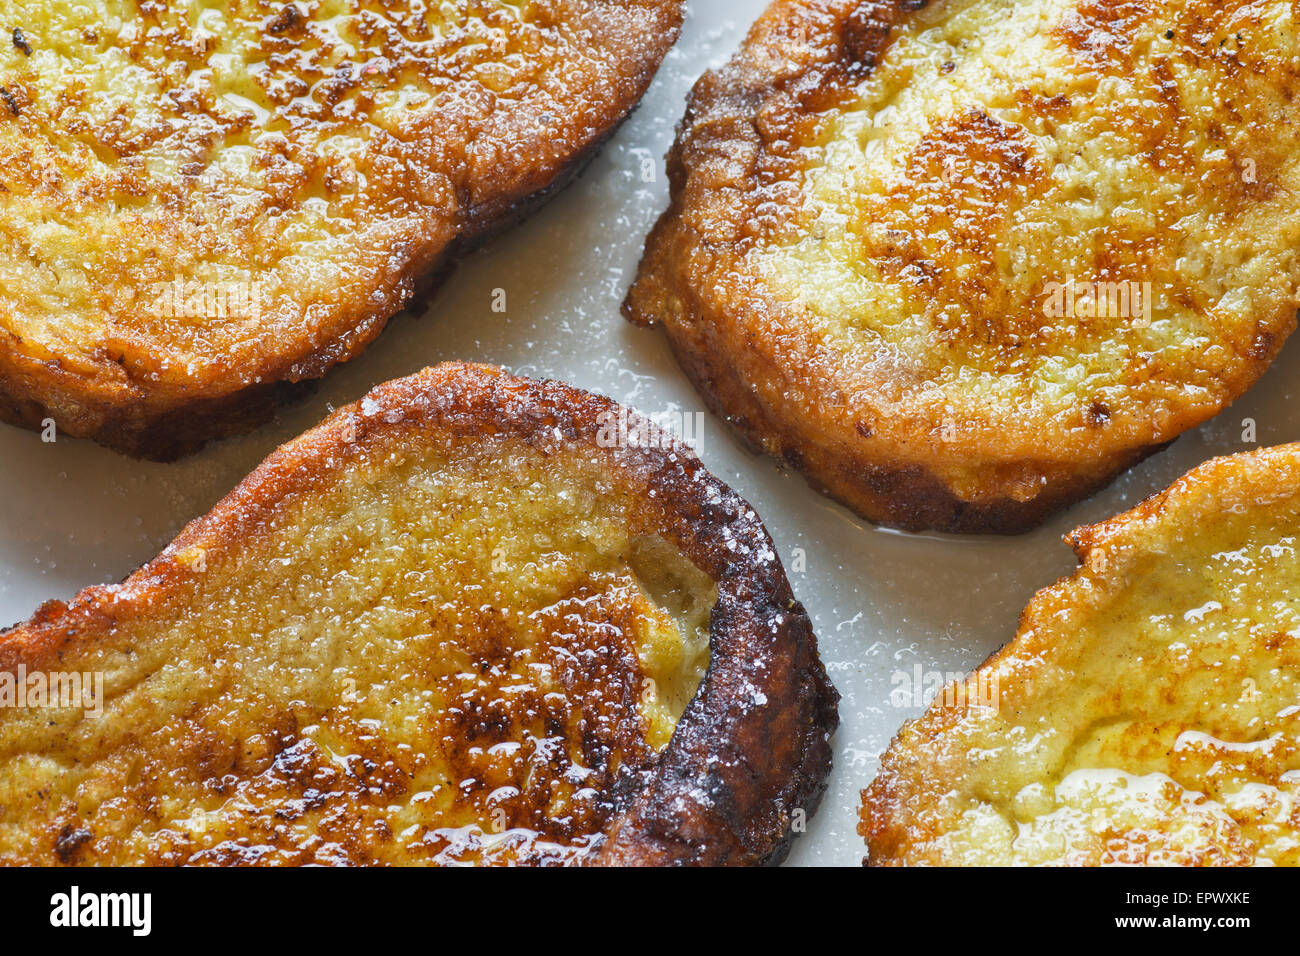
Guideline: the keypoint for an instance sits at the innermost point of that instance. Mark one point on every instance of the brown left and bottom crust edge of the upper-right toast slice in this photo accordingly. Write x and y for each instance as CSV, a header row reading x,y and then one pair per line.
x,y
803,55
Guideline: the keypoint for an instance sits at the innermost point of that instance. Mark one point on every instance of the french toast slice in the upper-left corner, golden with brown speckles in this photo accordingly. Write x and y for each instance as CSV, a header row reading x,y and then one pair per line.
x,y
203,205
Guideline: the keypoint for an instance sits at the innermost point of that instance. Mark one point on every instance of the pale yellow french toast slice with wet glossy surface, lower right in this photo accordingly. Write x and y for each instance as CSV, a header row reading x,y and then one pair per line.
x,y
1149,711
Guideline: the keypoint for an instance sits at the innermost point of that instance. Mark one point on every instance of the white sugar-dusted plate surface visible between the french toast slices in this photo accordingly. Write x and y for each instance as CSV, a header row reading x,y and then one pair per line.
x,y
882,603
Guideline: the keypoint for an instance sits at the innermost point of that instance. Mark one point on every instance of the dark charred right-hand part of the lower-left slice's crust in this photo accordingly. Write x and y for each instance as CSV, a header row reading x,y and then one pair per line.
x,y
760,638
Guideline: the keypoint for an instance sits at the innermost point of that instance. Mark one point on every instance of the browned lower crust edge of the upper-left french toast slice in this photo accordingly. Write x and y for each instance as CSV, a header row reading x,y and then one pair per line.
x,y
105,404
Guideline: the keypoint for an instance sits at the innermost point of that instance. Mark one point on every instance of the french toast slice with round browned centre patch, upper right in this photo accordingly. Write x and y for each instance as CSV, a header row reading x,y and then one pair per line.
x,y
963,263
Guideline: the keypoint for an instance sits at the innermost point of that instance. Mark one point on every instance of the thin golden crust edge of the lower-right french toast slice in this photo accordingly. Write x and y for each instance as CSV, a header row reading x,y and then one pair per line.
x,y
898,797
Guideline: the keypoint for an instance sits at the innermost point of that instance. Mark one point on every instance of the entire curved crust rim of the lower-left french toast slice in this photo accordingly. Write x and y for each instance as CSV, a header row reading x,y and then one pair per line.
x,y
753,746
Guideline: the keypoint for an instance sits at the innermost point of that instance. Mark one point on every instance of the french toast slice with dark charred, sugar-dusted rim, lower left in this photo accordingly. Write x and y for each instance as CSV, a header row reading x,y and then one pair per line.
x,y
473,618
